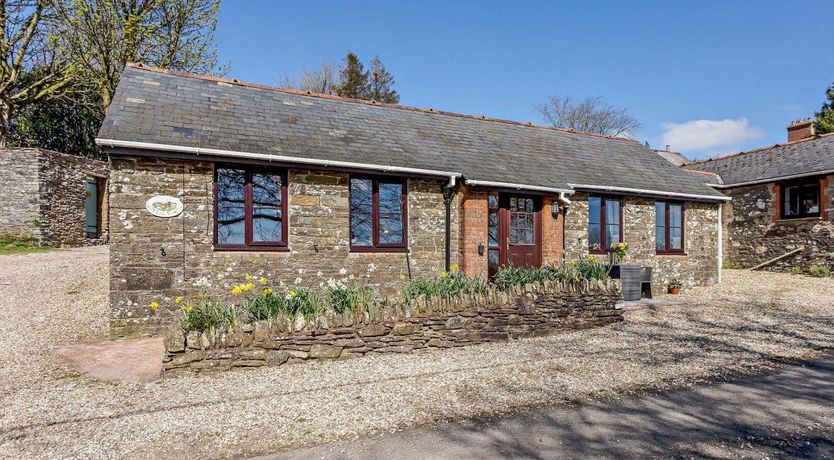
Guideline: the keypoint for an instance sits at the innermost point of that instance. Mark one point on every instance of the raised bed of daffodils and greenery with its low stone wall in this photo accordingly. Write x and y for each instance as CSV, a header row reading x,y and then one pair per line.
x,y
333,322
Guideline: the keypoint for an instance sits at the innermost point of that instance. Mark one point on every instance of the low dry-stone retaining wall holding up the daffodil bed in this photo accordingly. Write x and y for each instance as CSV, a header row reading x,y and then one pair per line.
x,y
493,317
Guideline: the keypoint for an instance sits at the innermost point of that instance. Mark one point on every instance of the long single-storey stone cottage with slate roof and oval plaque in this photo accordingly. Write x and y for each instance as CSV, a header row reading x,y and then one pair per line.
x,y
213,179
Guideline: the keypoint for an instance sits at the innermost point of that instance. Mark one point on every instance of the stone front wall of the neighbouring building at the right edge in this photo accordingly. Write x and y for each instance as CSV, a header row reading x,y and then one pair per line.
x,y
754,232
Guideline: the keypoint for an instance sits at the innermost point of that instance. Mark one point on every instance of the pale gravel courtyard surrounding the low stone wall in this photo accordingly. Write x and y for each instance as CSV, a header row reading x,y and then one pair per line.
x,y
750,323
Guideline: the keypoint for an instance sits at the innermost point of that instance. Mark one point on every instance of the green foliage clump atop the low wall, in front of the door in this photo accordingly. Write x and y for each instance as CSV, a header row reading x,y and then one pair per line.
x,y
584,269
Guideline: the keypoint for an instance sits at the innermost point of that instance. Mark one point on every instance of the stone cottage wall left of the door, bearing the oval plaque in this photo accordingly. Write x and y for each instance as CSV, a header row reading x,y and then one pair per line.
x,y
318,239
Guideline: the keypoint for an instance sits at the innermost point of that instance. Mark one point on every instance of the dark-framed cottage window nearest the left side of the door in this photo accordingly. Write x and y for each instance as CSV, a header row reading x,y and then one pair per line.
x,y
378,211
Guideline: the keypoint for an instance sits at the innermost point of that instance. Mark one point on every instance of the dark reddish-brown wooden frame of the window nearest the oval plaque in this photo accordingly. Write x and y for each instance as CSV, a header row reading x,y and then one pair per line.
x,y
249,244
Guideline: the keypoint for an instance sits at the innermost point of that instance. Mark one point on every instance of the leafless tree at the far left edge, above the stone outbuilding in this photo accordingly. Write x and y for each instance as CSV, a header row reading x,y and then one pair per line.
x,y
30,69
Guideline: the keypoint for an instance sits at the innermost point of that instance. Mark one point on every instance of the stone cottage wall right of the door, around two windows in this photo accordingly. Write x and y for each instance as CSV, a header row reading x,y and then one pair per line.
x,y
699,265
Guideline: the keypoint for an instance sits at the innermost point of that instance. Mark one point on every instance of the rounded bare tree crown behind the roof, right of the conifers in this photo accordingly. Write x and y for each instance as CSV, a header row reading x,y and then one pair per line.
x,y
590,115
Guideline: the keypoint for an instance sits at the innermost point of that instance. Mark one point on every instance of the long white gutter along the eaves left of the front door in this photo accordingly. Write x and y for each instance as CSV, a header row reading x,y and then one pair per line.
x,y
112,143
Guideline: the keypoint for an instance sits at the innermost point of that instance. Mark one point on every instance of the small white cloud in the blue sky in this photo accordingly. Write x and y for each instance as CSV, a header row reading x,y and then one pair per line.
x,y
708,134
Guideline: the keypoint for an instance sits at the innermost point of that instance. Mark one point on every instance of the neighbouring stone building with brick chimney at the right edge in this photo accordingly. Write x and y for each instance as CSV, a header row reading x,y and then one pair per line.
x,y
782,200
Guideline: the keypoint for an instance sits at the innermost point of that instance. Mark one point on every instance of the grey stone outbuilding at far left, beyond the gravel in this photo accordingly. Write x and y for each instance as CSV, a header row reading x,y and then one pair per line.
x,y
53,198
